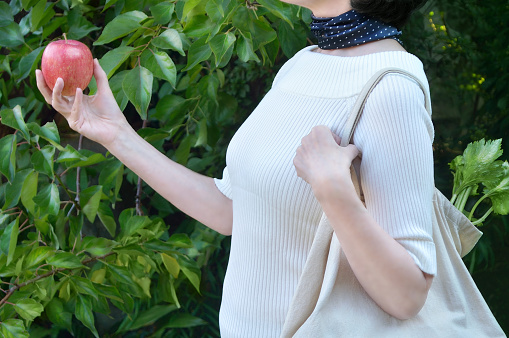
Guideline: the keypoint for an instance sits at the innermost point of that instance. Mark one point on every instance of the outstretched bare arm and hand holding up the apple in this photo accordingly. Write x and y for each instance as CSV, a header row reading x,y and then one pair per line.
x,y
99,118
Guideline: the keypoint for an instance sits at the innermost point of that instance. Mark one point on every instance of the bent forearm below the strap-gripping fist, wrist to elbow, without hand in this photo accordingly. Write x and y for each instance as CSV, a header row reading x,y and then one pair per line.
x,y
383,267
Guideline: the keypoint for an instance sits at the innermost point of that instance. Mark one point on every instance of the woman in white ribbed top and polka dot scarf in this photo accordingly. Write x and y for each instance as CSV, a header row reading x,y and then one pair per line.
x,y
284,166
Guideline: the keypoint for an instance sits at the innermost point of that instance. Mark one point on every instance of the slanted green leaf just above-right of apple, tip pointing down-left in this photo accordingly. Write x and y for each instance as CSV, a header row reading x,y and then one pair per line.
x,y
120,26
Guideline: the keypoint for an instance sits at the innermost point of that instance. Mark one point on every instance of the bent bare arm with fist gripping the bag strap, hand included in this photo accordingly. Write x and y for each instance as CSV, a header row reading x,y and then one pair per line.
x,y
383,267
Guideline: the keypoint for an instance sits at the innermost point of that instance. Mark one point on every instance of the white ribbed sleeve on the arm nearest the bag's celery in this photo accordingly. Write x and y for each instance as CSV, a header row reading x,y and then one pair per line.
x,y
395,136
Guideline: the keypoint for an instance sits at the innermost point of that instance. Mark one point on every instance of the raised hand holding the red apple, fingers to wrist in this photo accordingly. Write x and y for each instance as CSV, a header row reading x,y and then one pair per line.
x,y
97,117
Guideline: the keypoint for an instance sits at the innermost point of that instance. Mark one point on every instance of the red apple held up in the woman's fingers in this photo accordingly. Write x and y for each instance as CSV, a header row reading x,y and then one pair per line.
x,y
70,60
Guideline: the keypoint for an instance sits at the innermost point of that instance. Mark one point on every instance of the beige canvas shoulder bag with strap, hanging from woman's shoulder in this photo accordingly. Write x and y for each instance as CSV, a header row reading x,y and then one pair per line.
x,y
330,302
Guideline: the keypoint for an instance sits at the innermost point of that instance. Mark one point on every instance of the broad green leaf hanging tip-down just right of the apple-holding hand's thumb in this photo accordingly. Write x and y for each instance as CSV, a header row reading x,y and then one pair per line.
x,y
137,86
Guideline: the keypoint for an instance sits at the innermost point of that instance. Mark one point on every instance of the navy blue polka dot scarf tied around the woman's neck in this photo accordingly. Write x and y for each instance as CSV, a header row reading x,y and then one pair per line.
x,y
350,29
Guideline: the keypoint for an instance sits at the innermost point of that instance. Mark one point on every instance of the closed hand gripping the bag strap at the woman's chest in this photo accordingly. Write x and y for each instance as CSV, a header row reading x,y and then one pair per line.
x,y
322,163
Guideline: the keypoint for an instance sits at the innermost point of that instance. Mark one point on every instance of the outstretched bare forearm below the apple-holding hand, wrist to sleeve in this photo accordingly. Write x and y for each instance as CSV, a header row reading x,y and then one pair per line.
x,y
193,193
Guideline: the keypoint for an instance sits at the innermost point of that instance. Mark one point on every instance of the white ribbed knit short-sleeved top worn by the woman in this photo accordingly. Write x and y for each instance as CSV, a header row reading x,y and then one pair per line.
x,y
275,213
